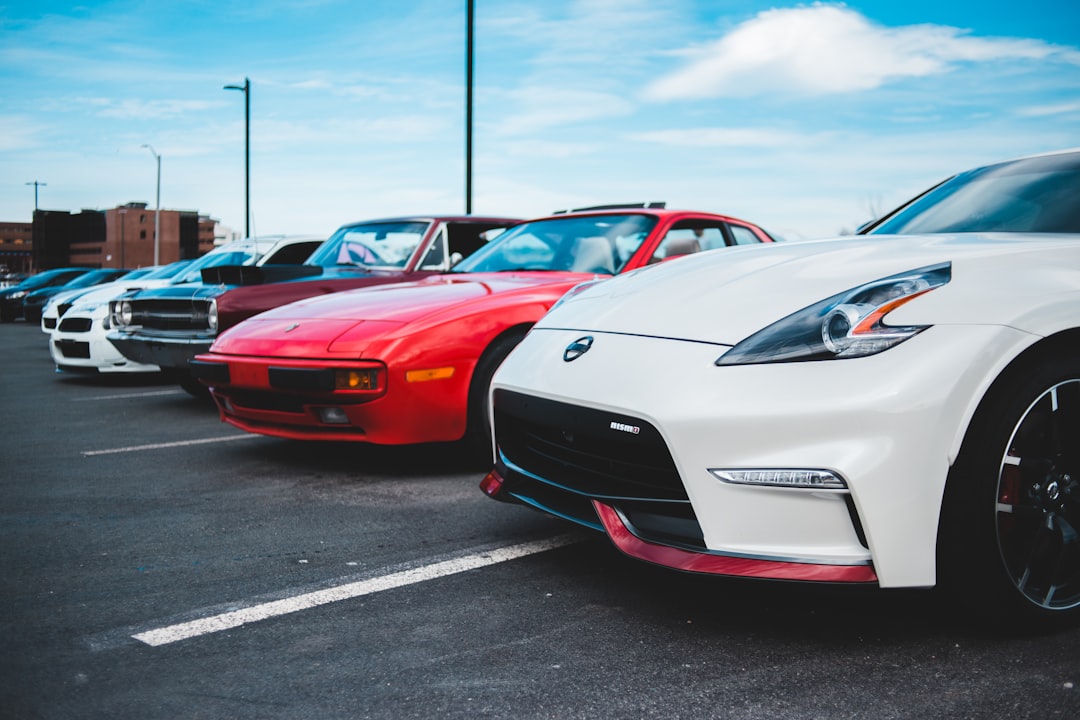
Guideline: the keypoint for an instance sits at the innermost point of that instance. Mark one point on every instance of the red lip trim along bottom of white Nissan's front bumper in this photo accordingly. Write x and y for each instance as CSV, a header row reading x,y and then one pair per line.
x,y
725,565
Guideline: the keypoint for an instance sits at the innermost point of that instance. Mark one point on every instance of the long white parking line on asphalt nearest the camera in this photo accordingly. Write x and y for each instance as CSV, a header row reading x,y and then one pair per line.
x,y
229,620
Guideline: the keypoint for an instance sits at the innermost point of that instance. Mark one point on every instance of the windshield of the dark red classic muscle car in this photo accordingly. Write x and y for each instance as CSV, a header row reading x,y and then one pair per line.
x,y
372,246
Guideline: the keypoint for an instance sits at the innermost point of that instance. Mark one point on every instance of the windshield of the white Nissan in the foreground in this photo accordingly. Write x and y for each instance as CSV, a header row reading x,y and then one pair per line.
x,y
1037,195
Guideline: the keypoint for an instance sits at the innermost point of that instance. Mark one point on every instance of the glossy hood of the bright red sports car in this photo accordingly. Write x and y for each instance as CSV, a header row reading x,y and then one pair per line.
x,y
344,322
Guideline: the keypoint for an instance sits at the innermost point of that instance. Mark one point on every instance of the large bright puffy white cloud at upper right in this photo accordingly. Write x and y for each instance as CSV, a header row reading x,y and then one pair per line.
x,y
829,49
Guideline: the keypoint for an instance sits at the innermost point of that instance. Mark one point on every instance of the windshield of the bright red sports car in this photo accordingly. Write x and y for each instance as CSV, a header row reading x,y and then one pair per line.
x,y
588,243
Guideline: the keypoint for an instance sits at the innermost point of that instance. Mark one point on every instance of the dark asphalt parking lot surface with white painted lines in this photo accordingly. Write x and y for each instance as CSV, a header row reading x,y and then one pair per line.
x,y
159,564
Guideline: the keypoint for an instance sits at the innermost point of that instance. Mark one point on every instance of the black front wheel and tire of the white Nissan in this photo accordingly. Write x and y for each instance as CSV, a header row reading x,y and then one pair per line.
x,y
1010,532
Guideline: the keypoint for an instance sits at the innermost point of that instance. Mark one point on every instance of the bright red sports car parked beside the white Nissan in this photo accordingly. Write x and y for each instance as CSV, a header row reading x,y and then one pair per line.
x,y
412,362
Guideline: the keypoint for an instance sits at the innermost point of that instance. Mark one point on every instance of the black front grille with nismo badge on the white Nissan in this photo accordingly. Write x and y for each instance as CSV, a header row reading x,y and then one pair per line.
x,y
599,454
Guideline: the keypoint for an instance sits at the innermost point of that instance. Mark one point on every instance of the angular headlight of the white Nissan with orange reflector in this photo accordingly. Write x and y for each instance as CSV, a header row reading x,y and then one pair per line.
x,y
846,325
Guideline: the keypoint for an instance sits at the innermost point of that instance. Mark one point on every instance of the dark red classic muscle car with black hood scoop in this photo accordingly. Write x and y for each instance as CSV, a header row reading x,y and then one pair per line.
x,y
169,328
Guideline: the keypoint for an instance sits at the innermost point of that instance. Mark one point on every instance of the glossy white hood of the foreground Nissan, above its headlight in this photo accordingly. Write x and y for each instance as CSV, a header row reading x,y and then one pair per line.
x,y
724,296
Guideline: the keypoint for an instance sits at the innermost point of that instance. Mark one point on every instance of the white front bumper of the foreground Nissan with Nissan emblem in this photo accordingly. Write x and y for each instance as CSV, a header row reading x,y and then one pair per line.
x,y
888,425
